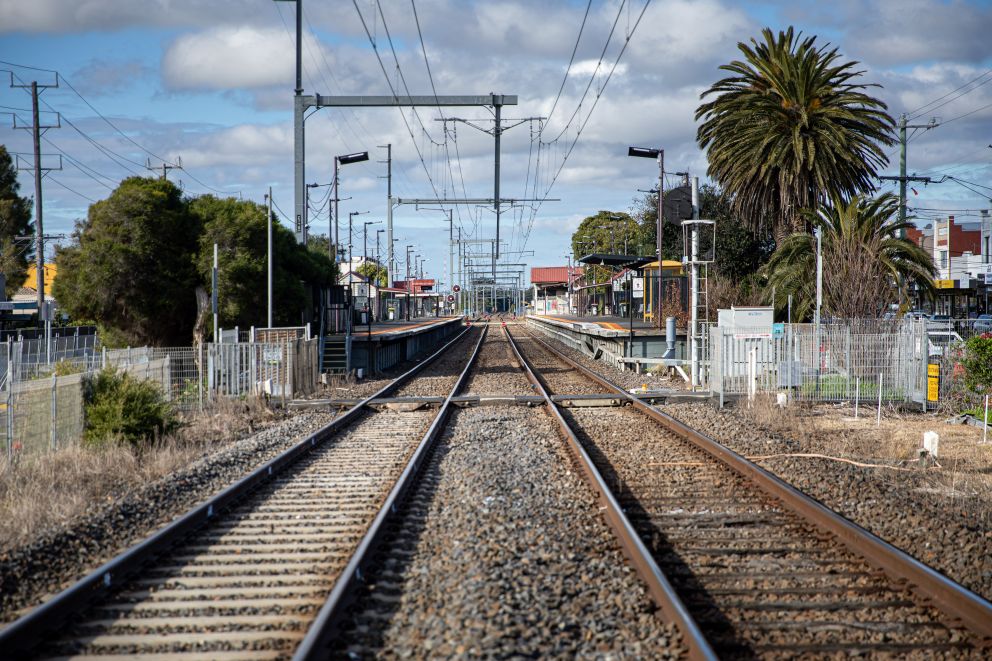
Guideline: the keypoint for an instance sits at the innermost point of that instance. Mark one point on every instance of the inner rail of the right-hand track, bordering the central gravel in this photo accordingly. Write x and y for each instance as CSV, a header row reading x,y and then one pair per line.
x,y
661,590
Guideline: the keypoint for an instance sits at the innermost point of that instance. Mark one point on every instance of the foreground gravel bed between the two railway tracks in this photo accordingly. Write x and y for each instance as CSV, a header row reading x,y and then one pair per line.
x,y
503,554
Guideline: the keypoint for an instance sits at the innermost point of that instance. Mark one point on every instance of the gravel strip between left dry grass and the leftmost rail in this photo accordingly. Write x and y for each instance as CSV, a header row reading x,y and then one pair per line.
x,y
60,556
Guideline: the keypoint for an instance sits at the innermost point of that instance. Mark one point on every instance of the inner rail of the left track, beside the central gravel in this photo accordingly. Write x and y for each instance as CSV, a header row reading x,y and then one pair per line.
x,y
328,621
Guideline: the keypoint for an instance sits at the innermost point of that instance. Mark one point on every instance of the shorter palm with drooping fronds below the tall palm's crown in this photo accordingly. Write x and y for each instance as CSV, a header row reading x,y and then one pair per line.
x,y
863,258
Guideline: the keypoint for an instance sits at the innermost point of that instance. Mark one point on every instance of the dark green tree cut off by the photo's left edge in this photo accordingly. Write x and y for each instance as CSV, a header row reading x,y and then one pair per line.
x,y
15,221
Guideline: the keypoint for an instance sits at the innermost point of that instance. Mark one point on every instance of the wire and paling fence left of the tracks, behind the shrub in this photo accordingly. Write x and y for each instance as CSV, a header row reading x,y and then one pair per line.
x,y
41,401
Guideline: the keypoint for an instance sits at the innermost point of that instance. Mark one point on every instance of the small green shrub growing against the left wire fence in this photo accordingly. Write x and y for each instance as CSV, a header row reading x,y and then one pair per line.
x,y
121,407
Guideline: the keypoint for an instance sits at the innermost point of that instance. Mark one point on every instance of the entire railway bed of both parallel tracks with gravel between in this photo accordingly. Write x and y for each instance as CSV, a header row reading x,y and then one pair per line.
x,y
739,564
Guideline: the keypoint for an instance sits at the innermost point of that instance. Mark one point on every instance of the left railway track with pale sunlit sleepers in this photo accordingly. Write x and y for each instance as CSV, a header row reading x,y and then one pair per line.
x,y
244,574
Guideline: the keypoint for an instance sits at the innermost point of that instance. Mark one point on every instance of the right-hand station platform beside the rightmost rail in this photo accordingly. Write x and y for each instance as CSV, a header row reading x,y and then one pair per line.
x,y
610,339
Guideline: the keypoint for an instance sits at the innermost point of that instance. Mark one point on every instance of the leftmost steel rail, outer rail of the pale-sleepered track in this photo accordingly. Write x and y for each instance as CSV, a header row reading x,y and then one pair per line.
x,y
29,630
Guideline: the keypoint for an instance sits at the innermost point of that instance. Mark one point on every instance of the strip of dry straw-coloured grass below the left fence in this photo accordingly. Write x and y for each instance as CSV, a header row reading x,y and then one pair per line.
x,y
50,489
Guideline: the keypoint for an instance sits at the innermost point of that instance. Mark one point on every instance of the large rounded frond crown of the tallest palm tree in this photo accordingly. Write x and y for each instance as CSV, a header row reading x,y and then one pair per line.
x,y
791,129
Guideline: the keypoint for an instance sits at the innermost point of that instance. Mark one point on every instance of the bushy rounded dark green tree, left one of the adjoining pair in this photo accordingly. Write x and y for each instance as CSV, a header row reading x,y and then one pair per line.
x,y
130,266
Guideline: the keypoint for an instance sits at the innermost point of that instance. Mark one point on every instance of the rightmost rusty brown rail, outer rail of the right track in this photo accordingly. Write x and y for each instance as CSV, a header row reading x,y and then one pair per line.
x,y
949,596
